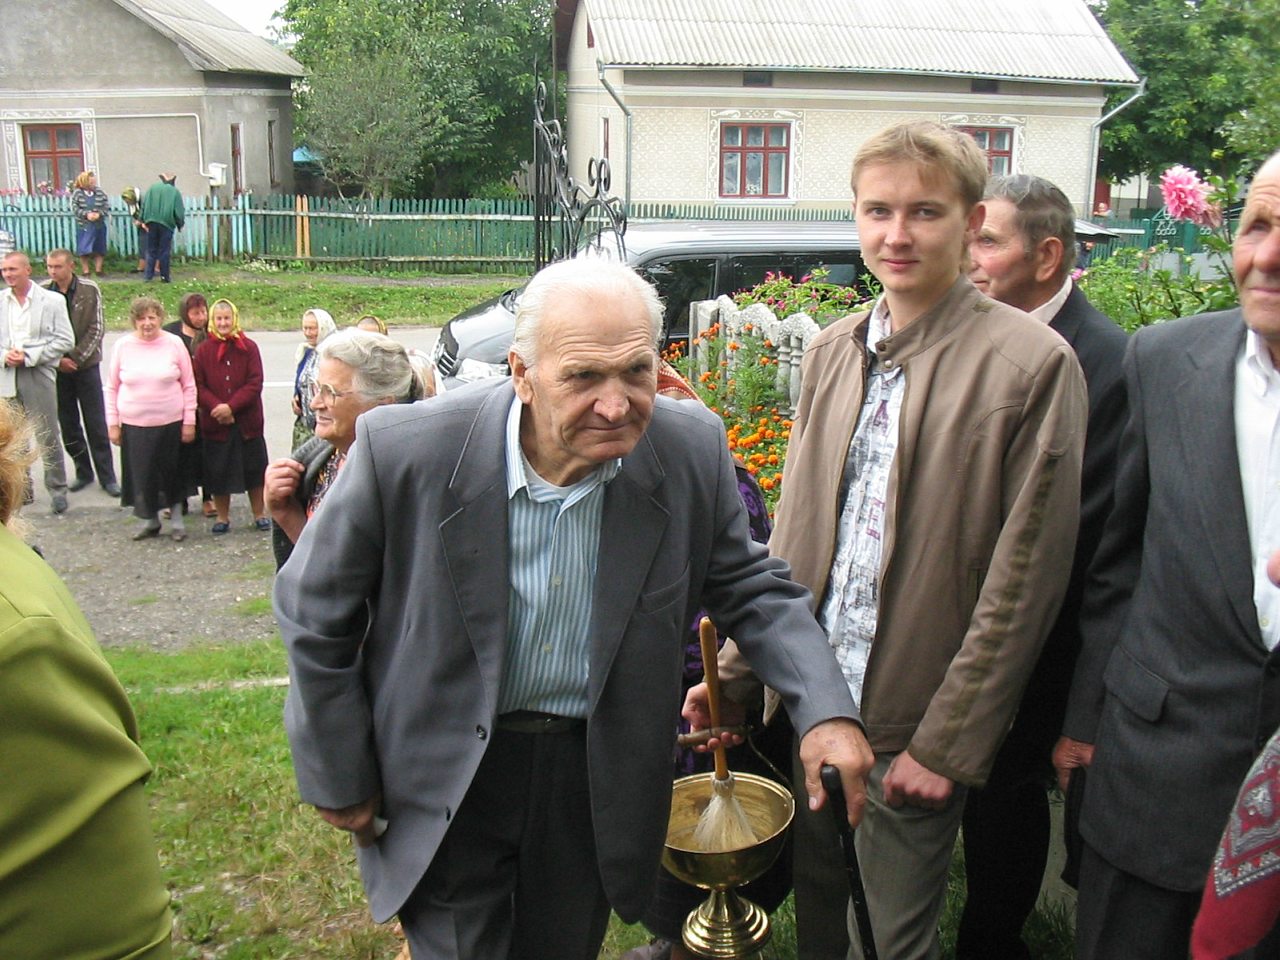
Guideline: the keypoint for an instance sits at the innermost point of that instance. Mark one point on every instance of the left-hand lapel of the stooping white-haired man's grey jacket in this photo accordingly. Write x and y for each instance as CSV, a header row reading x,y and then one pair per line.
x,y
476,537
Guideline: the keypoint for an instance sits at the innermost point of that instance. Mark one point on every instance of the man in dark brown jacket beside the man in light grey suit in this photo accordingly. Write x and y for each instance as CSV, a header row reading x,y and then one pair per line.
x,y
80,382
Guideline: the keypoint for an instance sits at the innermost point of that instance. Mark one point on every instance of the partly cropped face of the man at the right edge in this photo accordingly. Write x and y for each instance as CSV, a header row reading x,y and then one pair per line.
x,y
1258,257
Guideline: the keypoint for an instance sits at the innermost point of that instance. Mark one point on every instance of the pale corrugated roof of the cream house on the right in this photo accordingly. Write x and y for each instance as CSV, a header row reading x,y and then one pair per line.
x,y
1057,40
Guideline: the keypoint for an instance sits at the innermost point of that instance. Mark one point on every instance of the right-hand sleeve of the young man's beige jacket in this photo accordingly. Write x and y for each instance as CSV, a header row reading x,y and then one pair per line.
x,y
1023,587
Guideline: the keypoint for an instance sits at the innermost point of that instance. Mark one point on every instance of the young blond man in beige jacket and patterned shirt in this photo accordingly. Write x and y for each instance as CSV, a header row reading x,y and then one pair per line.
x,y
931,505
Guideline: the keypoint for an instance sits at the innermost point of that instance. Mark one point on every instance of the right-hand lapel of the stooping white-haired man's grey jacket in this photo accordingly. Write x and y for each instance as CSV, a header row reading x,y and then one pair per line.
x,y
633,525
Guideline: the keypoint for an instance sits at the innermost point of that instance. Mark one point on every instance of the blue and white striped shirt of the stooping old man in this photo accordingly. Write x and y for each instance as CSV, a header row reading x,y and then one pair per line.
x,y
555,536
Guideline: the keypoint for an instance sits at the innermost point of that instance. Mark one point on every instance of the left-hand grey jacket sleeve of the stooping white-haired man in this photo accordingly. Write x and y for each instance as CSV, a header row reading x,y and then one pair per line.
x,y
321,602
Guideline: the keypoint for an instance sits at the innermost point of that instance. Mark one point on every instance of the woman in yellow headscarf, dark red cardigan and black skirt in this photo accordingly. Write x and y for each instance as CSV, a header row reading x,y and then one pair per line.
x,y
230,405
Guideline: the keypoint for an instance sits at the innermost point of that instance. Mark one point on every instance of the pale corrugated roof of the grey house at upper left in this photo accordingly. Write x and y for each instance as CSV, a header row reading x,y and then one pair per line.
x,y
211,40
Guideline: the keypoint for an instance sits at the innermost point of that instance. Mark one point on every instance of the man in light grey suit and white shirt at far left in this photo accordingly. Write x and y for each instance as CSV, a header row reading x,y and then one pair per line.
x,y
35,333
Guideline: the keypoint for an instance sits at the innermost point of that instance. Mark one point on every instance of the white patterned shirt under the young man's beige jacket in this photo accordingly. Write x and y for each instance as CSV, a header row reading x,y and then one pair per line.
x,y
851,610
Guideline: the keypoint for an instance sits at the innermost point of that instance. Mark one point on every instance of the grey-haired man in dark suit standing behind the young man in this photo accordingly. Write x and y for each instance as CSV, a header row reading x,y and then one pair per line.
x,y
1023,257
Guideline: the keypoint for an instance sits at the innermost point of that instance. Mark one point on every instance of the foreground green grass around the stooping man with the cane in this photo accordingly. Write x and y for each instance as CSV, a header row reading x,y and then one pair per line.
x,y
254,872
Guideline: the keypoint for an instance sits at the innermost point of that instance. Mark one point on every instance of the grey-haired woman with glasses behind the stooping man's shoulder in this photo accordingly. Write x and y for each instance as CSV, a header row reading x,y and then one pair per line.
x,y
356,372
